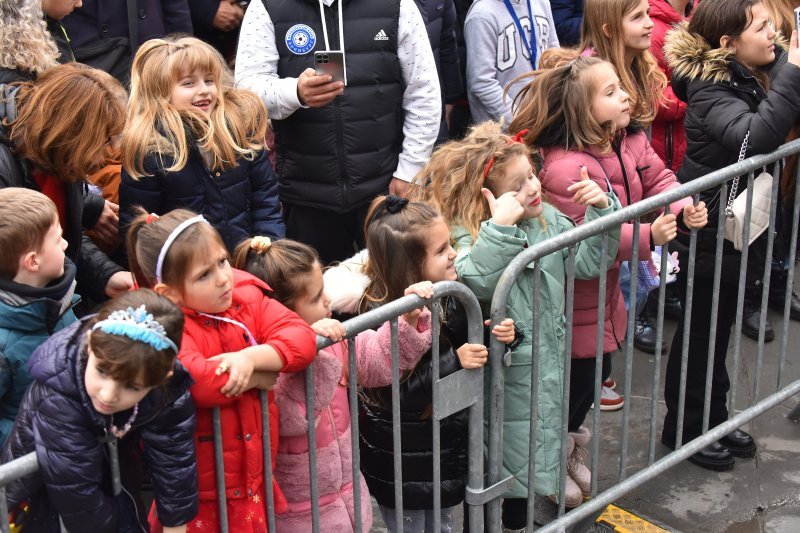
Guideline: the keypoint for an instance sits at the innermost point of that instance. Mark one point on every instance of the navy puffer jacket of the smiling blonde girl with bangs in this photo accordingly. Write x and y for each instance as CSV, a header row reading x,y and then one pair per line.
x,y
239,203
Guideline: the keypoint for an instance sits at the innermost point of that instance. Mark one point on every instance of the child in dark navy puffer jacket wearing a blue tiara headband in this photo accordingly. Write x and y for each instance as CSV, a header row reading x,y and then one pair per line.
x,y
109,378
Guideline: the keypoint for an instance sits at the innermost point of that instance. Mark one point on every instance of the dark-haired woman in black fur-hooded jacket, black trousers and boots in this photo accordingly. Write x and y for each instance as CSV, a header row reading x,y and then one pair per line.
x,y
738,83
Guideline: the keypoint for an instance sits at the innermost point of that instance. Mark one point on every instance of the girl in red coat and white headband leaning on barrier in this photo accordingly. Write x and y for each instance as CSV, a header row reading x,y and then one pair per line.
x,y
235,340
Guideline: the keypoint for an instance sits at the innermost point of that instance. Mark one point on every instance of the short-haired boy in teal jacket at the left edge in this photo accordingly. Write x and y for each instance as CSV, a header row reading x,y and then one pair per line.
x,y
37,290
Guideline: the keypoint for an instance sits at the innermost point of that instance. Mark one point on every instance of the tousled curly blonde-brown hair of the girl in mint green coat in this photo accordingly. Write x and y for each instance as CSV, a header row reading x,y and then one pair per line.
x,y
453,178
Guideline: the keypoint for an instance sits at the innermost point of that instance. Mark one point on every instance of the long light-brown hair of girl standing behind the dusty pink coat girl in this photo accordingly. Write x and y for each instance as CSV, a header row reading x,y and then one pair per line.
x,y
642,80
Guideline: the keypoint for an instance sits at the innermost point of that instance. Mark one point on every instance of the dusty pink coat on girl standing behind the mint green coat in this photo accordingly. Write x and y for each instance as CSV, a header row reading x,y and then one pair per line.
x,y
635,172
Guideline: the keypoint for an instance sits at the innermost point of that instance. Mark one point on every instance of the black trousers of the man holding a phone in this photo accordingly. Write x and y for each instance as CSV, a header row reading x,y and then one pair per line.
x,y
335,236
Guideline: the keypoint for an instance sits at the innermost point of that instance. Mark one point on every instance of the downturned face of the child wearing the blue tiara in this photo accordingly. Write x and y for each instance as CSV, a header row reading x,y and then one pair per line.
x,y
108,395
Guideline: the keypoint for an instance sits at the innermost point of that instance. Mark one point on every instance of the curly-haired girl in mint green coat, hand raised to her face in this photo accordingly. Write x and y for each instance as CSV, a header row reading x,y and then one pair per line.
x,y
486,188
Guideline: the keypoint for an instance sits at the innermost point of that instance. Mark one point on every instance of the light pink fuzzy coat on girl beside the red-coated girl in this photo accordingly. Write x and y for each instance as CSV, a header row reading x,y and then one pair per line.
x,y
332,414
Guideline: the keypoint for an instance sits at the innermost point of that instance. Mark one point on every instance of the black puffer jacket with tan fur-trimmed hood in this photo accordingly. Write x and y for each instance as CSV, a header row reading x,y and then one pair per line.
x,y
724,102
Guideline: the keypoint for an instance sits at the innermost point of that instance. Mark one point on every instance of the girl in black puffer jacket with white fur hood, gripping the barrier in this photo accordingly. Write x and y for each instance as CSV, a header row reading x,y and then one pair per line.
x,y
408,242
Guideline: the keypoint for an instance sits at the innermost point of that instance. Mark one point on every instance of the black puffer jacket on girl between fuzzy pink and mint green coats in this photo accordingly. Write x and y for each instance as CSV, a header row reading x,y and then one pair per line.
x,y
416,396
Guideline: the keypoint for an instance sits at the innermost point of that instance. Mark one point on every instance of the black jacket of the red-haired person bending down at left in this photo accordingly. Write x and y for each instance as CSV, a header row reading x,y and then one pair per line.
x,y
94,268
